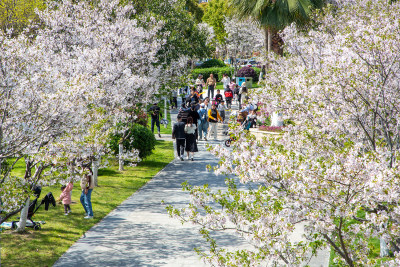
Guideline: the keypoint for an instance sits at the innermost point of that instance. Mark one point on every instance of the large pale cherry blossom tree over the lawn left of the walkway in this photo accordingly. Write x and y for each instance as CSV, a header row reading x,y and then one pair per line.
x,y
66,87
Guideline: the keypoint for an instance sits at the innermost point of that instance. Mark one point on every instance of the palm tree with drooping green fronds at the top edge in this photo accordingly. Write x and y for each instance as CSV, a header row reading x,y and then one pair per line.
x,y
275,15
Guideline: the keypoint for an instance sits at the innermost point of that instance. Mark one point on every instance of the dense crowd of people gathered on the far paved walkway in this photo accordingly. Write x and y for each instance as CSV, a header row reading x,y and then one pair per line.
x,y
199,116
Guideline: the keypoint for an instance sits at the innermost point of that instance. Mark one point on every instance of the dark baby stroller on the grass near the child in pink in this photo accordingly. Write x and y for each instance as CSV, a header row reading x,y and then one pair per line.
x,y
34,206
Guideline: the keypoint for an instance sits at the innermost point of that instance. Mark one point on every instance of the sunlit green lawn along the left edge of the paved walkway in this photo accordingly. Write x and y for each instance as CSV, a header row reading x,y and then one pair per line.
x,y
44,247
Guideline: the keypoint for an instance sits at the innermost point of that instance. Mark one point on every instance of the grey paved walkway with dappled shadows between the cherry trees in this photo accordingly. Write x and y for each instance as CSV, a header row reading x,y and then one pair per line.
x,y
140,233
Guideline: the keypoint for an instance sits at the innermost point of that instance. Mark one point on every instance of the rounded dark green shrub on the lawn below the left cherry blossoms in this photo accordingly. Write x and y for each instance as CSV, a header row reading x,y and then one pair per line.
x,y
140,138
